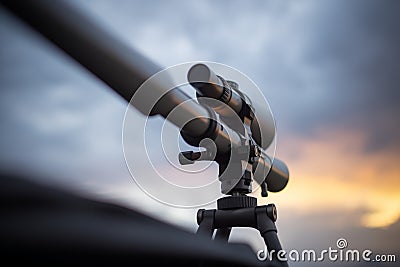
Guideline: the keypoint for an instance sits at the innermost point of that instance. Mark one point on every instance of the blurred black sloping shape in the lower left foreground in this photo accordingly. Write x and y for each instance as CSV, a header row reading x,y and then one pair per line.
x,y
49,226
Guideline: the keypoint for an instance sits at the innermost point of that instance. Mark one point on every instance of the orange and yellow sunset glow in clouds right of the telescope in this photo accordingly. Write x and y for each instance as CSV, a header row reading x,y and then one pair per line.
x,y
331,169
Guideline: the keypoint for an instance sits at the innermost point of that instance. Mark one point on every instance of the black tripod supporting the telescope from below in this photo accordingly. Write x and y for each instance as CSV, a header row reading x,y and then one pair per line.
x,y
239,210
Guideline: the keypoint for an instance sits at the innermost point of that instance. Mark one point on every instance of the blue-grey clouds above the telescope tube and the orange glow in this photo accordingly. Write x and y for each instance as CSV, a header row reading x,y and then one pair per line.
x,y
321,64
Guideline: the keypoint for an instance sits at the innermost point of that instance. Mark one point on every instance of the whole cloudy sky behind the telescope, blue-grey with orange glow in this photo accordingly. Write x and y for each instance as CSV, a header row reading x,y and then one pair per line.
x,y
329,69
